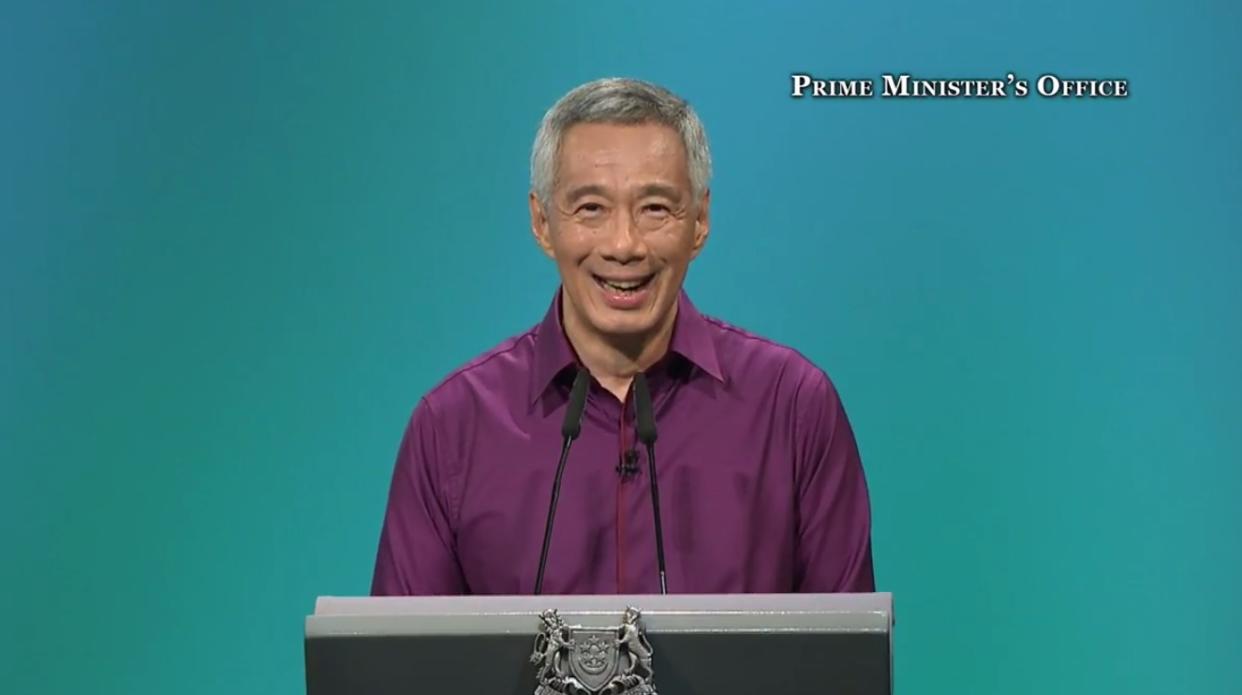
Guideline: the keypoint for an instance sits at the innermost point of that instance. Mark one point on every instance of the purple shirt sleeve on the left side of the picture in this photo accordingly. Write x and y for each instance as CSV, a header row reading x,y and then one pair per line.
x,y
417,555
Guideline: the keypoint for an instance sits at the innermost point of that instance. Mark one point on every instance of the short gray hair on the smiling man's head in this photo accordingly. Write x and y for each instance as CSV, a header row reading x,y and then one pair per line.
x,y
618,100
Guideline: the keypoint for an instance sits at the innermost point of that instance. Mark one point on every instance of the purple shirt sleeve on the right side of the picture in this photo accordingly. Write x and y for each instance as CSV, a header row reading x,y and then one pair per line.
x,y
834,512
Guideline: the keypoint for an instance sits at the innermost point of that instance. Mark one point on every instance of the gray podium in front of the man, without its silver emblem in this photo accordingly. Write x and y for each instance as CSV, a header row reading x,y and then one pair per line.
x,y
701,643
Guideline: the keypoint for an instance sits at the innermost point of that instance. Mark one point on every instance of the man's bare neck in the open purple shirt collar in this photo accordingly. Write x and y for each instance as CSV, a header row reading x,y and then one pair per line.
x,y
614,361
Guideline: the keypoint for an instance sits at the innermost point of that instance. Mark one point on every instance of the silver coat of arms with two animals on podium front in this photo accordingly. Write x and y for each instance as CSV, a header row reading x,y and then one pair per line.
x,y
577,661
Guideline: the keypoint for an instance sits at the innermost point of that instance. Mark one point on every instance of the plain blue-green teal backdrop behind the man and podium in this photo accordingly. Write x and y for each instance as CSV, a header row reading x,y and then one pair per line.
x,y
239,240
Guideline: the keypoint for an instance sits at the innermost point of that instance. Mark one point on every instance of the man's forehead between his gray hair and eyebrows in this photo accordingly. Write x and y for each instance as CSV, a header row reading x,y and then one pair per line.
x,y
608,151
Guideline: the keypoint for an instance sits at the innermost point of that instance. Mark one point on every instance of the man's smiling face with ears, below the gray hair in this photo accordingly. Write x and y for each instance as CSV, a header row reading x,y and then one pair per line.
x,y
622,225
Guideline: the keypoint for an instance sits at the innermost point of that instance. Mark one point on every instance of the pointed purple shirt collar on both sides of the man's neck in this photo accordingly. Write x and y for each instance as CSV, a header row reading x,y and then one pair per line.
x,y
692,341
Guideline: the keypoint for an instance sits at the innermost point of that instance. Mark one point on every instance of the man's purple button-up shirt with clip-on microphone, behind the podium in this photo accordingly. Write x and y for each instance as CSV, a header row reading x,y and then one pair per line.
x,y
761,485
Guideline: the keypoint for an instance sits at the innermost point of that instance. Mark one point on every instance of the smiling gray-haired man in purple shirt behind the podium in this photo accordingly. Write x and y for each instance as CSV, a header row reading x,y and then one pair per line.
x,y
762,488
